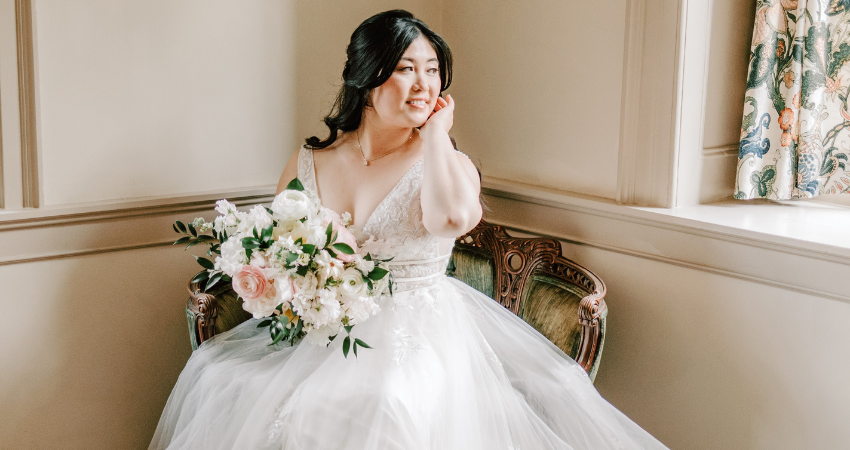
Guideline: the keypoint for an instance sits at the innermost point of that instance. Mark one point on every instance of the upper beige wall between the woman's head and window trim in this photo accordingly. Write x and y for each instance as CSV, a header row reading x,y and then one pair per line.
x,y
538,88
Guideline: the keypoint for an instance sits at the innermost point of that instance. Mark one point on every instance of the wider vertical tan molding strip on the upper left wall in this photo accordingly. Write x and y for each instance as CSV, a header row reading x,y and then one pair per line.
x,y
30,166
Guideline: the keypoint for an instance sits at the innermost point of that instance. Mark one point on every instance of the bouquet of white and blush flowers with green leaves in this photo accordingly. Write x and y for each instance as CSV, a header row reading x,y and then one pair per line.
x,y
296,265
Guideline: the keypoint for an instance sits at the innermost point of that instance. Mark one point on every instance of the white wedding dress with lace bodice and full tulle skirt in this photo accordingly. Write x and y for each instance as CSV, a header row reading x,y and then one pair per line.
x,y
449,369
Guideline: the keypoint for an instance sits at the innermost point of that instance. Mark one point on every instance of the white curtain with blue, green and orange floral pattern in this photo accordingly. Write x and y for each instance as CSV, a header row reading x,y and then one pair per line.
x,y
795,137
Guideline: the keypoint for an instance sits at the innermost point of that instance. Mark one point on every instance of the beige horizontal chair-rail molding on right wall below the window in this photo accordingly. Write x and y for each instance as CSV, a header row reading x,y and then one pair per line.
x,y
773,260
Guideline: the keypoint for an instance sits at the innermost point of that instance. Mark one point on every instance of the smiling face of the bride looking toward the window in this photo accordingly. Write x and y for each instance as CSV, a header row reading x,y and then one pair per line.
x,y
407,98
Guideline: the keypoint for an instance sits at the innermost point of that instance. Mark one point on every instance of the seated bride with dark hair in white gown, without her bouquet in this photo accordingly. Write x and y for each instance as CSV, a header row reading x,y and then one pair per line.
x,y
449,368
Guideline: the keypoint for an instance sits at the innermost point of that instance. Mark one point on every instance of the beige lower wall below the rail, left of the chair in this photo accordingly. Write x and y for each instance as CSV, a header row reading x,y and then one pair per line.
x,y
92,346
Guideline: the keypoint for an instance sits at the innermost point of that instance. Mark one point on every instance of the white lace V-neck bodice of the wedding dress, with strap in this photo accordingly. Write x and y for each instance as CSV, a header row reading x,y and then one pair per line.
x,y
395,228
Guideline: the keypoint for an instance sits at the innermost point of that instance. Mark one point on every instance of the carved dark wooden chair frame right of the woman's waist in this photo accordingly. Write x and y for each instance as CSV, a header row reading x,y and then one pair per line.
x,y
540,255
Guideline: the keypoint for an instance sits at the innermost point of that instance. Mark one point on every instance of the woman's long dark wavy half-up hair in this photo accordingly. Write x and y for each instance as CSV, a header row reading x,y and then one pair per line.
x,y
375,49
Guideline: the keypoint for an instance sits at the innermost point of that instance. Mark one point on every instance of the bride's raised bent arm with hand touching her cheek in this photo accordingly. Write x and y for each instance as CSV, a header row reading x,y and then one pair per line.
x,y
450,187
